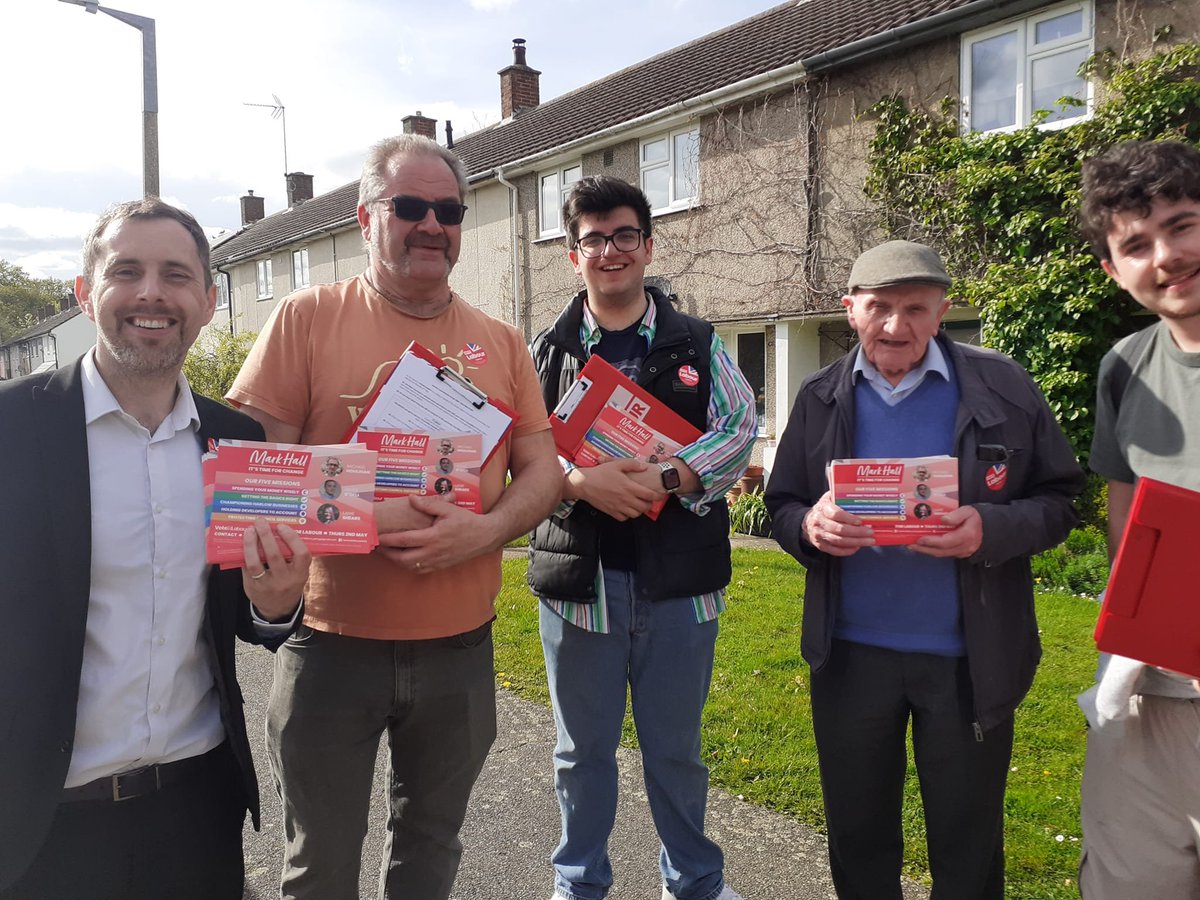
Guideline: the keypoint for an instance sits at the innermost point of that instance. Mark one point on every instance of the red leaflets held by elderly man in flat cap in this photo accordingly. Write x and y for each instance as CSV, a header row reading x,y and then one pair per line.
x,y
902,500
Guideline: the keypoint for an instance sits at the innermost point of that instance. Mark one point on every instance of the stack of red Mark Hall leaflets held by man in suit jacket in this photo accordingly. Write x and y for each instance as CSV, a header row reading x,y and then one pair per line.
x,y
323,493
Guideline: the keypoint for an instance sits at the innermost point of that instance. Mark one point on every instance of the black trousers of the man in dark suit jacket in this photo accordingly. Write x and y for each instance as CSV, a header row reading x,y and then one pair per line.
x,y
183,843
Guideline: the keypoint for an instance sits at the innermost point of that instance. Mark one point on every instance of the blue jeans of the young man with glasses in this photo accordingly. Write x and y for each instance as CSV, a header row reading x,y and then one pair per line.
x,y
667,659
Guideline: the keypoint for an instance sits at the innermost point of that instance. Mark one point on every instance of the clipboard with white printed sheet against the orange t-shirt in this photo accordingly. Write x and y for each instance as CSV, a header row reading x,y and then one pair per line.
x,y
423,395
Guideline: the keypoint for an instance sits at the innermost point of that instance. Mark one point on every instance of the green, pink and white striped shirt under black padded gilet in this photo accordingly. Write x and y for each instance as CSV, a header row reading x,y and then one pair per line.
x,y
719,458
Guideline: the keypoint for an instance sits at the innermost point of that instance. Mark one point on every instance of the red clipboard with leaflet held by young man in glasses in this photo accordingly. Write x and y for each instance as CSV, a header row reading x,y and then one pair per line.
x,y
607,415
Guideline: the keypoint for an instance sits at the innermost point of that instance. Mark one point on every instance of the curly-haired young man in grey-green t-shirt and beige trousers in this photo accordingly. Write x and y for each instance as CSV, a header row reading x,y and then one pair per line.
x,y
1142,779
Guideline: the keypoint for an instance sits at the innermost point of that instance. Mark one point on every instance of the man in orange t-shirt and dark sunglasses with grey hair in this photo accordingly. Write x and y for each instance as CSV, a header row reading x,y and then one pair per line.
x,y
399,640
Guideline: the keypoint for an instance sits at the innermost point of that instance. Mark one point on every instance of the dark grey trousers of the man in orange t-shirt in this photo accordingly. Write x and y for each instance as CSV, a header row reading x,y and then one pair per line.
x,y
333,699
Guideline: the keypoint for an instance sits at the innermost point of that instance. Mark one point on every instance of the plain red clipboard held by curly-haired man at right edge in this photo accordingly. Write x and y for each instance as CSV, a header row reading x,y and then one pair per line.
x,y
1153,607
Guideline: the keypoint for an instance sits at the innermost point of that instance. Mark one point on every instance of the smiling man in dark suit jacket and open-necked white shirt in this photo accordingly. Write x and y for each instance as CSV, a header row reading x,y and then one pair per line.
x,y
125,771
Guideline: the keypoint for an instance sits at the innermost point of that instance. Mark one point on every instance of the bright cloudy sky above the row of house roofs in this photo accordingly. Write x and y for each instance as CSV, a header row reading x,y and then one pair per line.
x,y
347,73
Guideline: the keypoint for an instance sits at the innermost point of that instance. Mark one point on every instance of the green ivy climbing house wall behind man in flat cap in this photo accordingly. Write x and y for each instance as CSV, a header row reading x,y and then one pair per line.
x,y
1003,211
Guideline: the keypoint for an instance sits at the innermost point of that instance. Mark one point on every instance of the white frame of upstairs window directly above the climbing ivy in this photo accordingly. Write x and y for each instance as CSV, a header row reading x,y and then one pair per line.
x,y
1029,53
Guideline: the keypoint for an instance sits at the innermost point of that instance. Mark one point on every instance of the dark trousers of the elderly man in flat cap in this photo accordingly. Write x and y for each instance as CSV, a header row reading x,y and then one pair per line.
x,y
862,701
